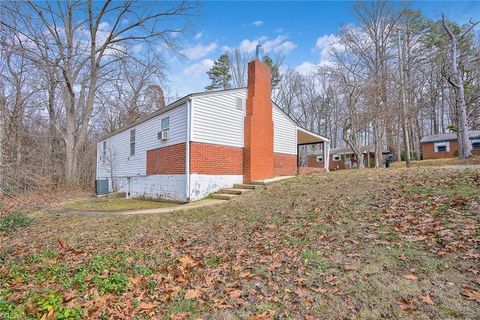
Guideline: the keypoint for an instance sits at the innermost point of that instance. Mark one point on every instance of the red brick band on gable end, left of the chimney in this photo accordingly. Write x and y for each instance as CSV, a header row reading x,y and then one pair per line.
x,y
216,159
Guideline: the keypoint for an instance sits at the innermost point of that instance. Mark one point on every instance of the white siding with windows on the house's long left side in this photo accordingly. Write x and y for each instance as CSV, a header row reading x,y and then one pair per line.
x,y
146,138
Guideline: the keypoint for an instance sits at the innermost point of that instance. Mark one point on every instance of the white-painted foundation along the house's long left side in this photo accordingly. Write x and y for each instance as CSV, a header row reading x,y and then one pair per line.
x,y
168,187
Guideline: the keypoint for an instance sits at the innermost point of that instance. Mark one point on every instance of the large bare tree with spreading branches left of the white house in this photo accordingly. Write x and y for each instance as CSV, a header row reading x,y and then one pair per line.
x,y
85,36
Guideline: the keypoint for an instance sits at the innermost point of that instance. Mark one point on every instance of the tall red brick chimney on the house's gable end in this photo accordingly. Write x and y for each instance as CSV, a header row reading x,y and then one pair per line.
x,y
258,133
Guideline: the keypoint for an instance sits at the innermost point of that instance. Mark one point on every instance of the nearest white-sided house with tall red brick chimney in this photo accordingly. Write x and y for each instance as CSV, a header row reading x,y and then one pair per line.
x,y
204,142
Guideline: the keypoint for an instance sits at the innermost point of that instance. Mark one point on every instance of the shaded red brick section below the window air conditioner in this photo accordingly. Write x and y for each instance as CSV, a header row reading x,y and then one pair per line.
x,y
166,160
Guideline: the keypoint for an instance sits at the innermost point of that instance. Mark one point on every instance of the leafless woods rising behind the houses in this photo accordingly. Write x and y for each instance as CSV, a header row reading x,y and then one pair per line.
x,y
68,76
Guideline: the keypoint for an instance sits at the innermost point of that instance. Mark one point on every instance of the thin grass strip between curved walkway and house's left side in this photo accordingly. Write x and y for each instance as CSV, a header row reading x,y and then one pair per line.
x,y
113,204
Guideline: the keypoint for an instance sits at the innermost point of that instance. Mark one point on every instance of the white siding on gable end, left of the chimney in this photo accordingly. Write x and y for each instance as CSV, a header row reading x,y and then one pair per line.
x,y
216,119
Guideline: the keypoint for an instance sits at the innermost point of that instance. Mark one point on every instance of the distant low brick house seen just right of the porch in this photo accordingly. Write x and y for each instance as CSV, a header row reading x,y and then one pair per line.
x,y
343,158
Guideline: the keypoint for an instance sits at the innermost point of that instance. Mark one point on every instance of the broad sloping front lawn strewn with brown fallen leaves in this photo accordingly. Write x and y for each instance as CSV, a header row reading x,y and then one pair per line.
x,y
369,244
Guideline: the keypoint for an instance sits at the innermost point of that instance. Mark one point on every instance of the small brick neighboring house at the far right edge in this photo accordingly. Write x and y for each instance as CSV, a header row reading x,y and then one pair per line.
x,y
445,145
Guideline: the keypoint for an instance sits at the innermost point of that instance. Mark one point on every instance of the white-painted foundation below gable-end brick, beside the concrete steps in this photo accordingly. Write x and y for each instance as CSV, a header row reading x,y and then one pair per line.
x,y
201,185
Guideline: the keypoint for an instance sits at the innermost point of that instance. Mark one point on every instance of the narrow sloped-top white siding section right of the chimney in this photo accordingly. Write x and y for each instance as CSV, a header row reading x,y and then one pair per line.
x,y
284,132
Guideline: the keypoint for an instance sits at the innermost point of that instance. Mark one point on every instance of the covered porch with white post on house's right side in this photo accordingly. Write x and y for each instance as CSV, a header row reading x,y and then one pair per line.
x,y
308,138
